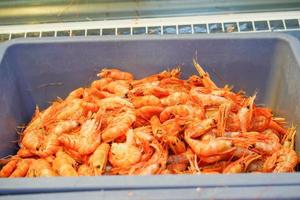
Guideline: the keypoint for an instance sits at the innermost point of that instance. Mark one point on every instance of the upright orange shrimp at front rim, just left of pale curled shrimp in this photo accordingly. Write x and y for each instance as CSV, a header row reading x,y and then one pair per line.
x,y
98,159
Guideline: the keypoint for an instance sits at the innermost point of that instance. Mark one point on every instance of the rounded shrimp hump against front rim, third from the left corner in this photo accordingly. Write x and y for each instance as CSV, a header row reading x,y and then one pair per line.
x,y
40,168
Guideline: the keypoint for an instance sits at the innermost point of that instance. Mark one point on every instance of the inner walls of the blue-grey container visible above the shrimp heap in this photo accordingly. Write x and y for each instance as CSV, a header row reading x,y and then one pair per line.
x,y
39,72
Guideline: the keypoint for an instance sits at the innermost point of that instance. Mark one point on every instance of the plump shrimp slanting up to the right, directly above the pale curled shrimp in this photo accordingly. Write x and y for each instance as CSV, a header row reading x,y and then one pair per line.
x,y
119,126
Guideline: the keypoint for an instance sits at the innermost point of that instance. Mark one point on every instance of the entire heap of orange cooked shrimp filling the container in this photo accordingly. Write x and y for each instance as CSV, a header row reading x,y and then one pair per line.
x,y
159,124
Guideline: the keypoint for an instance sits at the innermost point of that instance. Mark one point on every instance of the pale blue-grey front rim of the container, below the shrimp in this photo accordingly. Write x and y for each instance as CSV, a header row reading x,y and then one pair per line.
x,y
64,184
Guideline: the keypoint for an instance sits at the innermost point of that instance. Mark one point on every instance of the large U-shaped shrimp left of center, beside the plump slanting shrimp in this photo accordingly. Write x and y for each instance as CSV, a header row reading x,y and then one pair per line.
x,y
86,141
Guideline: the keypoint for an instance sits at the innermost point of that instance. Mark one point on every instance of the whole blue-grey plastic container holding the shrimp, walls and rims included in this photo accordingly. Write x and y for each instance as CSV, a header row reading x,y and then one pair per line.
x,y
34,72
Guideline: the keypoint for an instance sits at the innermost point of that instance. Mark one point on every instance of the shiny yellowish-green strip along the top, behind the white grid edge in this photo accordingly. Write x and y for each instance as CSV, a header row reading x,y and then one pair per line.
x,y
44,11
